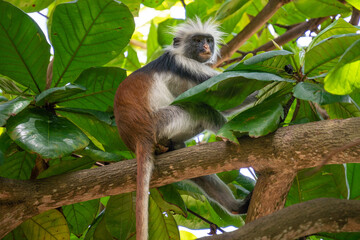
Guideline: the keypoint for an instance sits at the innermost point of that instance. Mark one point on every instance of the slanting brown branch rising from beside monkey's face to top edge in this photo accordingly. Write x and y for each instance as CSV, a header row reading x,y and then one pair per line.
x,y
255,24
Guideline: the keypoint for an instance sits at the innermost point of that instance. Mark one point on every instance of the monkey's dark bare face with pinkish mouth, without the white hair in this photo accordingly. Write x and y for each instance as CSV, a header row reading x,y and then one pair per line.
x,y
199,47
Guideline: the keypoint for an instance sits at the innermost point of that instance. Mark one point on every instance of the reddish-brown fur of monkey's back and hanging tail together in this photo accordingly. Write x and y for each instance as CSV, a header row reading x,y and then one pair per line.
x,y
136,127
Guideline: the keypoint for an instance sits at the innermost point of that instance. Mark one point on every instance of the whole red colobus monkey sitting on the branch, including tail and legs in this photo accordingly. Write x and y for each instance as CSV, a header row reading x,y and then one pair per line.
x,y
146,119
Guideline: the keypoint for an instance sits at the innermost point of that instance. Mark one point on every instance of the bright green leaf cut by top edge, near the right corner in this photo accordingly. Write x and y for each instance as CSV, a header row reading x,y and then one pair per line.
x,y
321,8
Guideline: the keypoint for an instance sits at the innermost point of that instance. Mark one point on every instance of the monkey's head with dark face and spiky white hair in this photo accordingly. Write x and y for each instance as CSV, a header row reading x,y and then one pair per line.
x,y
196,40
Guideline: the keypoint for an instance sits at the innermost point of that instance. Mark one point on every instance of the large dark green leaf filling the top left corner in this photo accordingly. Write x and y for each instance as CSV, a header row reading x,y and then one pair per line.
x,y
24,52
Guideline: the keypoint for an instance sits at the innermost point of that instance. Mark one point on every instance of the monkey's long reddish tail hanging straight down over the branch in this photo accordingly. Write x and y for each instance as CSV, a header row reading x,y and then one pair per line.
x,y
145,164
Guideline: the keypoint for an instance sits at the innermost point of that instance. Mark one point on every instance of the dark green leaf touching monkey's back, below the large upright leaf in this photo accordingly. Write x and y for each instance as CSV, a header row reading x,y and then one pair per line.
x,y
100,84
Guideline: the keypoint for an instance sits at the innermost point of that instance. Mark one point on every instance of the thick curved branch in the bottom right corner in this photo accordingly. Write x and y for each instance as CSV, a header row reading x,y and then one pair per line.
x,y
319,215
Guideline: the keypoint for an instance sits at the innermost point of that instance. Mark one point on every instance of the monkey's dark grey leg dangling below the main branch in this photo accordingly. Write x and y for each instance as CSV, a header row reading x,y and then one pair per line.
x,y
218,191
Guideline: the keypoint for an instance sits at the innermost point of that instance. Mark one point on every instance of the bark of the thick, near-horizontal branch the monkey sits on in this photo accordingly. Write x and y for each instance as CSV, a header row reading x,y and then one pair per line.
x,y
289,149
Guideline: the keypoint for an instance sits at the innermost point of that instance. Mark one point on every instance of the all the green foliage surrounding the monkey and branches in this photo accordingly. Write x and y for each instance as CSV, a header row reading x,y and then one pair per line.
x,y
66,120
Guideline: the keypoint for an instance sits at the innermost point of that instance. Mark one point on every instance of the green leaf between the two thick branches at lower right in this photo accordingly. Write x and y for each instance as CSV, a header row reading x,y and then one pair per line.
x,y
329,181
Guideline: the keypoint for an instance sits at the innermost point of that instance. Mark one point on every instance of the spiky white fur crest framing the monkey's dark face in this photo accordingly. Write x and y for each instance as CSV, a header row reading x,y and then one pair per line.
x,y
190,27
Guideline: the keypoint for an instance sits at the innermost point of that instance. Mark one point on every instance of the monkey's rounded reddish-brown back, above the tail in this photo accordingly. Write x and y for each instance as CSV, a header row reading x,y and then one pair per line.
x,y
132,111
